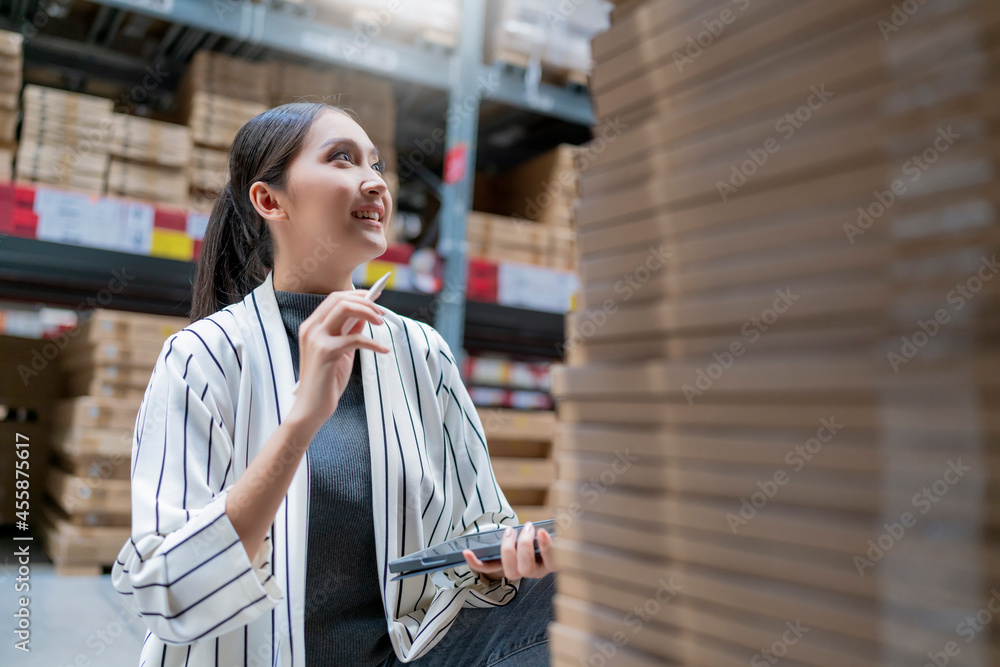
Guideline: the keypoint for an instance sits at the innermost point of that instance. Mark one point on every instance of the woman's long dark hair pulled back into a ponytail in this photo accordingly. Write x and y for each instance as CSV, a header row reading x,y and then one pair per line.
x,y
237,251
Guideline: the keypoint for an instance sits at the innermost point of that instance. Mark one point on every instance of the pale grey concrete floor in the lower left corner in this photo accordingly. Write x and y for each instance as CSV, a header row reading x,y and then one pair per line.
x,y
75,621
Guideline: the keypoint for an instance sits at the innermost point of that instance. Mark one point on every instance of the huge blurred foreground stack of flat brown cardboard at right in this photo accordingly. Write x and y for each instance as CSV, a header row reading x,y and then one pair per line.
x,y
778,438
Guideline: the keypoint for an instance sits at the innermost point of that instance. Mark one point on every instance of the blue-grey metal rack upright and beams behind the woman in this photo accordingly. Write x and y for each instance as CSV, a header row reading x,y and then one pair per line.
x,y
27,267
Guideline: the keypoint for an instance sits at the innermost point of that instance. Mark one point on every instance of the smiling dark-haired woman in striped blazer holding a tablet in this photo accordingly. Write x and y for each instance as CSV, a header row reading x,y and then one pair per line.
x,y
264,514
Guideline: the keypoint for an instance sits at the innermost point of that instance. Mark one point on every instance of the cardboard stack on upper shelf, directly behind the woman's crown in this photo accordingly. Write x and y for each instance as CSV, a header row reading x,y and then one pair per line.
x,y
218,94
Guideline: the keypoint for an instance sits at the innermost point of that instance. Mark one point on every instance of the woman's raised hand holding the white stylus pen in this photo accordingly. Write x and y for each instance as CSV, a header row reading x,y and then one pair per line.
x,y
326,358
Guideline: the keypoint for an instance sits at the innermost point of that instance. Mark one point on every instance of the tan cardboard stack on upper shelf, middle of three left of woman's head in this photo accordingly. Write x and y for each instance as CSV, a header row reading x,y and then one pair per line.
x,y
150,159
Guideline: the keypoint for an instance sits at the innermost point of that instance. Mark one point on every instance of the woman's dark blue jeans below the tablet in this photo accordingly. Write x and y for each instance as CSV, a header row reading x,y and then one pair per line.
x,y
514,635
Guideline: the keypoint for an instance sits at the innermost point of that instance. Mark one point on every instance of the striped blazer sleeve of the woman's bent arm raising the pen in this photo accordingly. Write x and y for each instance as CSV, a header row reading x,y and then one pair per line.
x,y
184,564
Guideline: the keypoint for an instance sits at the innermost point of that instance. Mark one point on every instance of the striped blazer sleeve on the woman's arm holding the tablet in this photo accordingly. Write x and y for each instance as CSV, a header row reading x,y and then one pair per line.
x,y
483,504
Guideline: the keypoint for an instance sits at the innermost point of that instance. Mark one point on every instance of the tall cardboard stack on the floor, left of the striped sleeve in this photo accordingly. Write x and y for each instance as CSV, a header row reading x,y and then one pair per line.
x,y
106,367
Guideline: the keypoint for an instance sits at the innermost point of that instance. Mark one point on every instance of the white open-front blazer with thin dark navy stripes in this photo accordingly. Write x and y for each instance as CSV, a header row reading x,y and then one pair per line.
x,y
218,391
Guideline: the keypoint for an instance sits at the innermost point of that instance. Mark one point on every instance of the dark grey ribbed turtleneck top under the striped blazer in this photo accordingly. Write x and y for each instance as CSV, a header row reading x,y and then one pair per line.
x,y
344,617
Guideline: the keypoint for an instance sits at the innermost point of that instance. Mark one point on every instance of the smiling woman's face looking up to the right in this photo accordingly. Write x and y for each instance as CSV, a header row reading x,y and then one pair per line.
x,y
334,208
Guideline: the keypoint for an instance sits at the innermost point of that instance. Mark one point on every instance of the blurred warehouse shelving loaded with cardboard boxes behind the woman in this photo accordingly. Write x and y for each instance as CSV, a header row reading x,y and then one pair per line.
x,y
479,109
